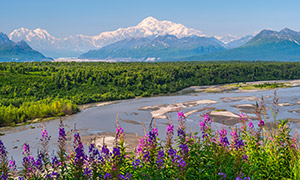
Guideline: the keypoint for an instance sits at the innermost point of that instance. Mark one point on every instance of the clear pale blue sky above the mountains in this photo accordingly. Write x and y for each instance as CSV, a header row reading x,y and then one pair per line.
x,y
90,17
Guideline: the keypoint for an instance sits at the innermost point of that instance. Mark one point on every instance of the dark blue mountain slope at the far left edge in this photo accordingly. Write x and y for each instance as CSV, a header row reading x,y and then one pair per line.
x,y
20,51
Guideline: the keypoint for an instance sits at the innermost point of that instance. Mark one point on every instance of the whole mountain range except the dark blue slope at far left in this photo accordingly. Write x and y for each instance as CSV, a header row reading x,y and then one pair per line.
x,y
152,40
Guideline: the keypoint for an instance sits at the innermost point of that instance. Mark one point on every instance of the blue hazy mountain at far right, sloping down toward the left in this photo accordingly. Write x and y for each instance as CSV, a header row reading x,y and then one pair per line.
x,y
267,45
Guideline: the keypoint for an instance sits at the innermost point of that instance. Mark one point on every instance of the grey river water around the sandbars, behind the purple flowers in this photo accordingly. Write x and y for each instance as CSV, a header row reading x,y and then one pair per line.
x,y
102,119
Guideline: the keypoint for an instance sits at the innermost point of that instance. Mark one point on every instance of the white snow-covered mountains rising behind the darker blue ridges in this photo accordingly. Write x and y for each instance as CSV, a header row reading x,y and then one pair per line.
x,y
73,46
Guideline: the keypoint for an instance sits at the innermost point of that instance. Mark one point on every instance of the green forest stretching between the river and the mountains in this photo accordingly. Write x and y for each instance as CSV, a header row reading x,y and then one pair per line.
x,y
30,90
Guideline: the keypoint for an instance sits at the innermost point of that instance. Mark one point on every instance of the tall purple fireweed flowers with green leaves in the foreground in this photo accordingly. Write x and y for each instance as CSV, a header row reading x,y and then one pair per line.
x,y
250,153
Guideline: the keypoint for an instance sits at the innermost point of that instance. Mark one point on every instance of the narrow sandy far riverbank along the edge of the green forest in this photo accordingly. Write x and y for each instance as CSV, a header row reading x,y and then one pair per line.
x,y
220,88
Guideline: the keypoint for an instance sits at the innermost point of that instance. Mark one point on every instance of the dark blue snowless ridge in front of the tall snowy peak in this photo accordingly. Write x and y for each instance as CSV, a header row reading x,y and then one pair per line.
x,y
160,47
